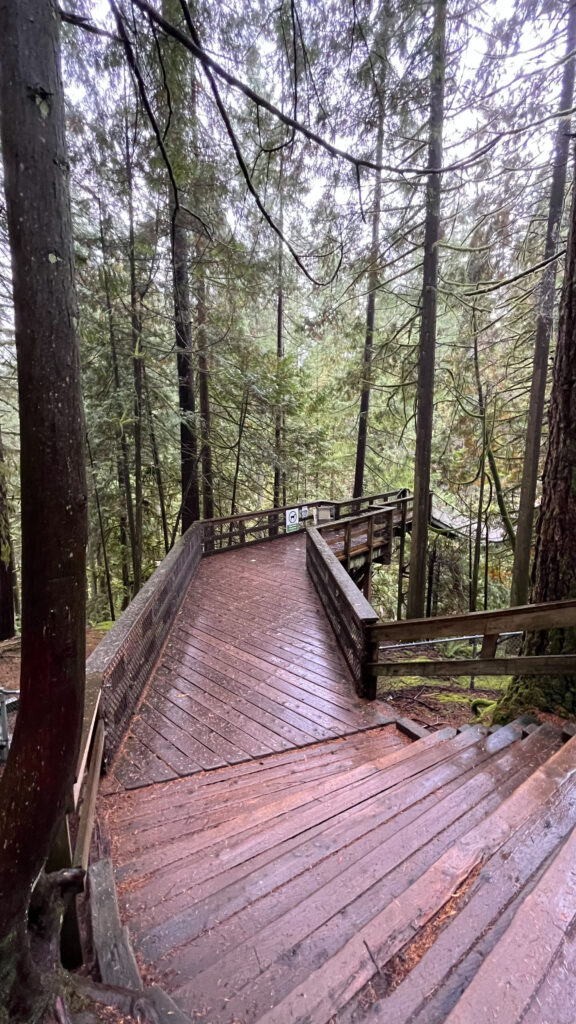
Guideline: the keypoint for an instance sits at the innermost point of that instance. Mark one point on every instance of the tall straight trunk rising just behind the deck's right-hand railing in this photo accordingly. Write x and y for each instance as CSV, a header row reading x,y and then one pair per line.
x,y
427,358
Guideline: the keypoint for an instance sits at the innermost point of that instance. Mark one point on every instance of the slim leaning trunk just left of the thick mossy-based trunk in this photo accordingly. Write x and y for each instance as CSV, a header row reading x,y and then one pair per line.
x,y
521,571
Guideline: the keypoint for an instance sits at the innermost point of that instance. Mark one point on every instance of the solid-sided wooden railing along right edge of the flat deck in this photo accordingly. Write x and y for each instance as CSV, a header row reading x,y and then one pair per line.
x,y
348,611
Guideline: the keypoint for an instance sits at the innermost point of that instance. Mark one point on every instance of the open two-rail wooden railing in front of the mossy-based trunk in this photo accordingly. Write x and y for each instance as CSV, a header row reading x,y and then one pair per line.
x,y
486,626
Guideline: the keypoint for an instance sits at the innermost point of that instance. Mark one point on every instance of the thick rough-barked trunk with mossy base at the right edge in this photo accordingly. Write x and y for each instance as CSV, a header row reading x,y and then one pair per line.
x,y
554,575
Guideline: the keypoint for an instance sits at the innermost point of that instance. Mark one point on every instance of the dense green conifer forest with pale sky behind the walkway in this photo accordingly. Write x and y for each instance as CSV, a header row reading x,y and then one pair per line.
x,y
252,301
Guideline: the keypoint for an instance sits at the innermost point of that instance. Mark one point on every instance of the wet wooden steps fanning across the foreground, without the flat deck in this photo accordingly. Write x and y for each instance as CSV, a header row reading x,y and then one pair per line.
x,y
361,879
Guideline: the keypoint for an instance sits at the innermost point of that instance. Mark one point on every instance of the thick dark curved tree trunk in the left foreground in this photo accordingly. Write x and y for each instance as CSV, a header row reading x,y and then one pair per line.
x,y
42,765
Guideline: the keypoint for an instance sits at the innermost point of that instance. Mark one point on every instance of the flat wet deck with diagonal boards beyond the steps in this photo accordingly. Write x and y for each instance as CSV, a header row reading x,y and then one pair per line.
x,y
252,668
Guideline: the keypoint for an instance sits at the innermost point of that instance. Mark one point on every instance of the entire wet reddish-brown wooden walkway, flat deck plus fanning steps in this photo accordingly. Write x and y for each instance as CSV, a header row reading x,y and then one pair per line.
x,y
285,855
